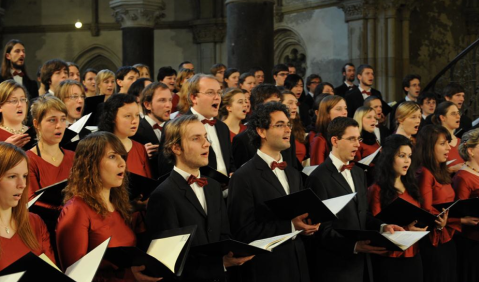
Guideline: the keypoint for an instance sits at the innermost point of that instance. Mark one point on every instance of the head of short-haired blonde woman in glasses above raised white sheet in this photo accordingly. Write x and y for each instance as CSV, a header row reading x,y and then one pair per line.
x,y
72,94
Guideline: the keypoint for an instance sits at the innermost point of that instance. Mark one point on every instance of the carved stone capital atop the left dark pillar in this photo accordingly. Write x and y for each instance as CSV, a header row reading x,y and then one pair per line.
x,y
137,13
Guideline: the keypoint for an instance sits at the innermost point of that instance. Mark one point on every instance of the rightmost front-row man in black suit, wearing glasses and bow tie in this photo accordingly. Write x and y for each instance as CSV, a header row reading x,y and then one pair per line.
x,y
339,259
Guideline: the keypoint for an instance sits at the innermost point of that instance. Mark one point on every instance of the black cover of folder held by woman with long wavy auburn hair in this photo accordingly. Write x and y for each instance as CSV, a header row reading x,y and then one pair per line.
x,y
125,257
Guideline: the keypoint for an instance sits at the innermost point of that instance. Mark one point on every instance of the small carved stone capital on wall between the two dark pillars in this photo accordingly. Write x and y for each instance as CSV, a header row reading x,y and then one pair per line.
x,y
209,30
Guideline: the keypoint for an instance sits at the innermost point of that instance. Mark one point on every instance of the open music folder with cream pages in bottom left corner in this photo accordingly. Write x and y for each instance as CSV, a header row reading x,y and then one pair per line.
x,y
34,266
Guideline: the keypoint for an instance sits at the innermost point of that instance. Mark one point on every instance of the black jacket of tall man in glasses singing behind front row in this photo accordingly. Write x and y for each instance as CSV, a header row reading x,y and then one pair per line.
x,y
223,133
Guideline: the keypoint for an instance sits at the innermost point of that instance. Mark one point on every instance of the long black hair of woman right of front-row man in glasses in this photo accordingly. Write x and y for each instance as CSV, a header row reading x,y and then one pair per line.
x,y
386,176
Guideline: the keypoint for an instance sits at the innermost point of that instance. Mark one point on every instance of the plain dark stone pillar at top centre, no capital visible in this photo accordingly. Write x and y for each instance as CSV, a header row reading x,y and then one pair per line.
x,y
250,35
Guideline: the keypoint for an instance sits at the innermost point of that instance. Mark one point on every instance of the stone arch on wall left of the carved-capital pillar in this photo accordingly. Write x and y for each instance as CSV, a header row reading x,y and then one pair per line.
x,y
98,57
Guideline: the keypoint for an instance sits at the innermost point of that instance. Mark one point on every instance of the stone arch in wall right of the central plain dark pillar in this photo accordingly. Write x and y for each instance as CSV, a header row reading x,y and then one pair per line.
x,y
289,48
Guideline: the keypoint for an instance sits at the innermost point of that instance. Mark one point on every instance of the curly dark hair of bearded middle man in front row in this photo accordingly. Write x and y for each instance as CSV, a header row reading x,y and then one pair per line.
x,y
261,118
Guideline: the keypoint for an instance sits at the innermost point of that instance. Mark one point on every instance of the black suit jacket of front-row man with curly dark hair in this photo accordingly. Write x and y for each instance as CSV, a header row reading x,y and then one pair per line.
x,y
250,219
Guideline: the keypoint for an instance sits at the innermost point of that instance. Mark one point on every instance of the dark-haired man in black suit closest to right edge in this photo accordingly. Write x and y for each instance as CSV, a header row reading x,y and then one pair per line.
x,y
454,92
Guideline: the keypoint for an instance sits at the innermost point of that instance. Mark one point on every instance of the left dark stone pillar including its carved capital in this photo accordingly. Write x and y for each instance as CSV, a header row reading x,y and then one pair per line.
x,y
137,19
